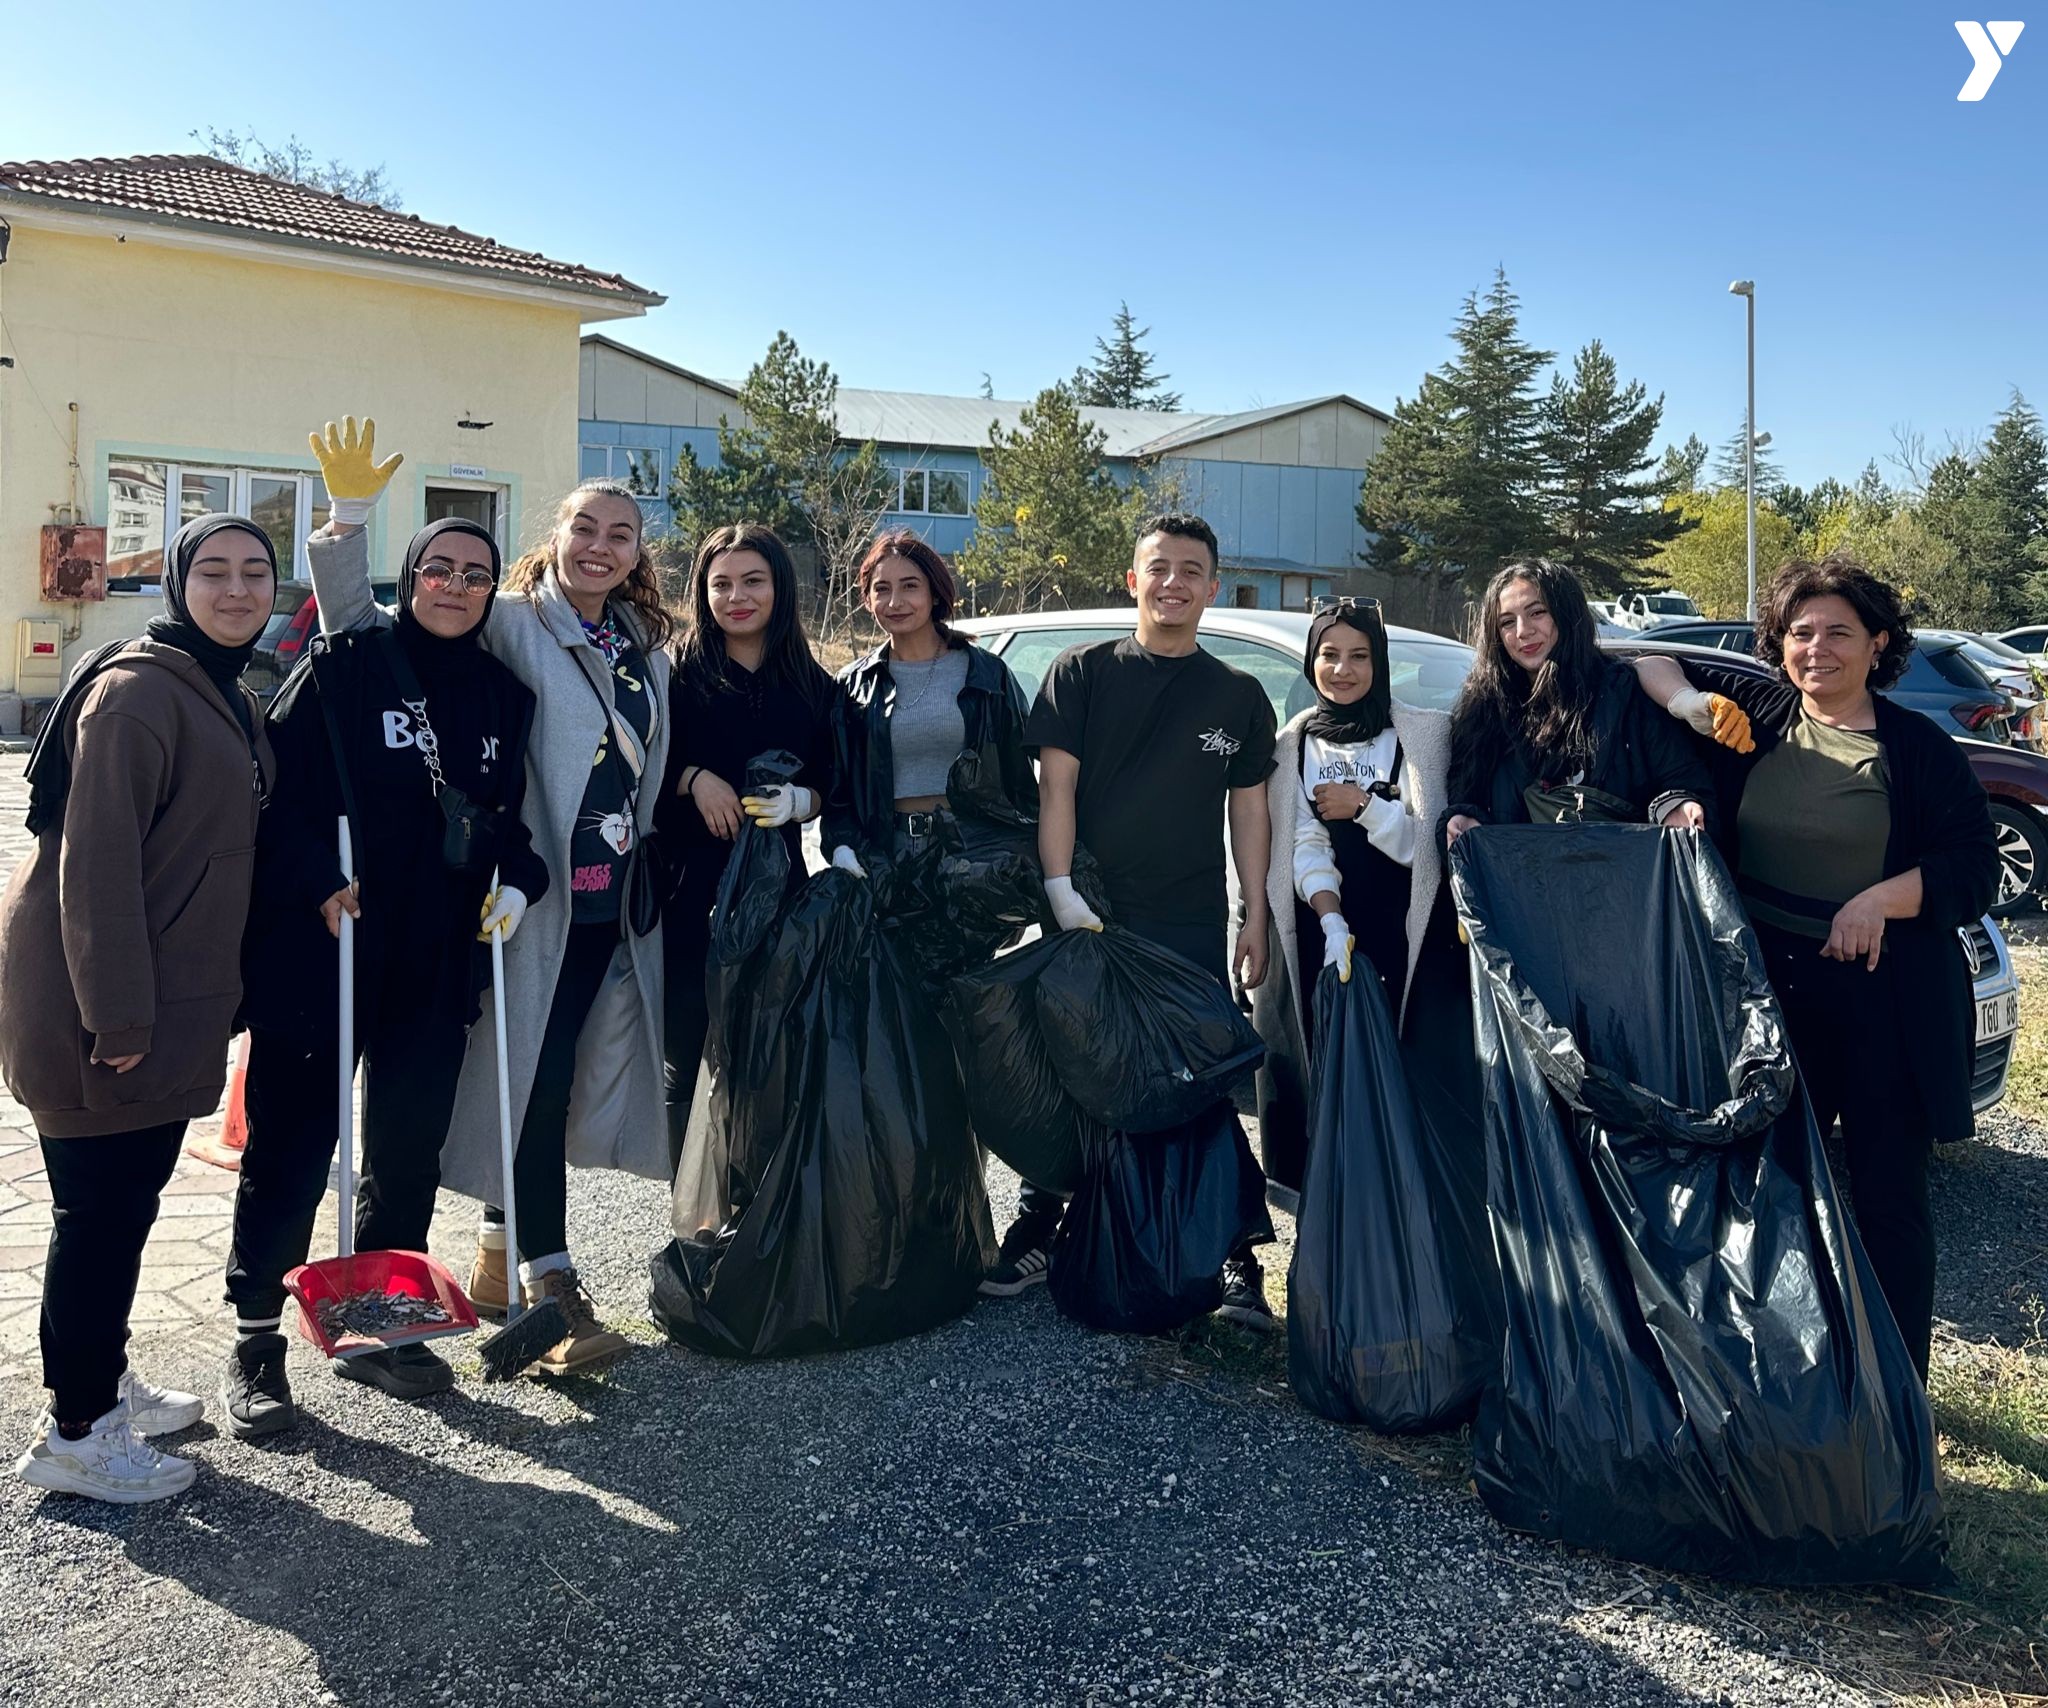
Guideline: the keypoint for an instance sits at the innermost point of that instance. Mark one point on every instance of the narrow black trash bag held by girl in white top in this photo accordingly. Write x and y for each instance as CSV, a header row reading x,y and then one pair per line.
x,y
1392,1304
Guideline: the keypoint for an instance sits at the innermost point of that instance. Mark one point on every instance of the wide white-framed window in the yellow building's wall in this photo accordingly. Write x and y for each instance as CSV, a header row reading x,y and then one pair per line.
x,y
151,501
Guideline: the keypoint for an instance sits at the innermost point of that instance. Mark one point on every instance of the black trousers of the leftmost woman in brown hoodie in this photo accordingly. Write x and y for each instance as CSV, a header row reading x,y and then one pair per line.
x,y
103,1197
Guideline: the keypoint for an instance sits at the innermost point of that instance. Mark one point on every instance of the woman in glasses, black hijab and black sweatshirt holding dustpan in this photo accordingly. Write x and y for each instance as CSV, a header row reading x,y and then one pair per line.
x,y
419,738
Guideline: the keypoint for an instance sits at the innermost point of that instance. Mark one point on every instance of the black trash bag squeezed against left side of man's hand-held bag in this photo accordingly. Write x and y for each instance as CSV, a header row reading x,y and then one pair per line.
x,y
1015,1095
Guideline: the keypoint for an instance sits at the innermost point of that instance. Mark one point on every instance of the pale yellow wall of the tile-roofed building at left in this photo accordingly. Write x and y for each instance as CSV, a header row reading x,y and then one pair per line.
x,y
183,355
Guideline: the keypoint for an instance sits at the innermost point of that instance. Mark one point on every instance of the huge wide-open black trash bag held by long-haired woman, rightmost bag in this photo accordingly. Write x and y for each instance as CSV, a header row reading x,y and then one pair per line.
x,y
1699,1369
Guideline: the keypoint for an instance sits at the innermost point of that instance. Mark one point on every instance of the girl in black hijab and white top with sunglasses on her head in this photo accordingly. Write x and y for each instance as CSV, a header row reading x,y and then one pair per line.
x,y
1353,878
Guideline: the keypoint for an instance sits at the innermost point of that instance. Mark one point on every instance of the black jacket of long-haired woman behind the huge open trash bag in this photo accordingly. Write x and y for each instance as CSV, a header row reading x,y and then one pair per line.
x,y
1639,755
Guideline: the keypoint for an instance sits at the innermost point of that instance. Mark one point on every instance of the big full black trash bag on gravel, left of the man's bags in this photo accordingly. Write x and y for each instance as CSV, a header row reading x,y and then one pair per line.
x,y
867,1220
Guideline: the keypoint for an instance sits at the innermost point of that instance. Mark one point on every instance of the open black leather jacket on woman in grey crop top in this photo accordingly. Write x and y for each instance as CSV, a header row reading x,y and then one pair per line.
x,y
861,808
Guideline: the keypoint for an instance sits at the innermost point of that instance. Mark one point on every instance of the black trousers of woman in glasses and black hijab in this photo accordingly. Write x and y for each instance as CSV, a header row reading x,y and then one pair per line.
x,y
413,1064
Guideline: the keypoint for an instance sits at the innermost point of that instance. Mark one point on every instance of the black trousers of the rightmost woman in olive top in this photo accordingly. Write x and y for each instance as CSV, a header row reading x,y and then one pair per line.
x,y
1852,1056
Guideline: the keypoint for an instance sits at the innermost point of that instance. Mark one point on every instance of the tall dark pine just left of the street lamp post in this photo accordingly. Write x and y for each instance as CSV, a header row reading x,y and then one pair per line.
x,y
1598,482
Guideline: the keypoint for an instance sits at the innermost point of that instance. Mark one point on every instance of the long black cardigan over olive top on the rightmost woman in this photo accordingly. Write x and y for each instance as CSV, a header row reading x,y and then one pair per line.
x,y
1943,826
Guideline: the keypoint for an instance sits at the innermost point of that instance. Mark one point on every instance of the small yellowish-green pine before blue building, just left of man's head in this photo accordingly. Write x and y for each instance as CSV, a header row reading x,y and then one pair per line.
x,y
1054,523
